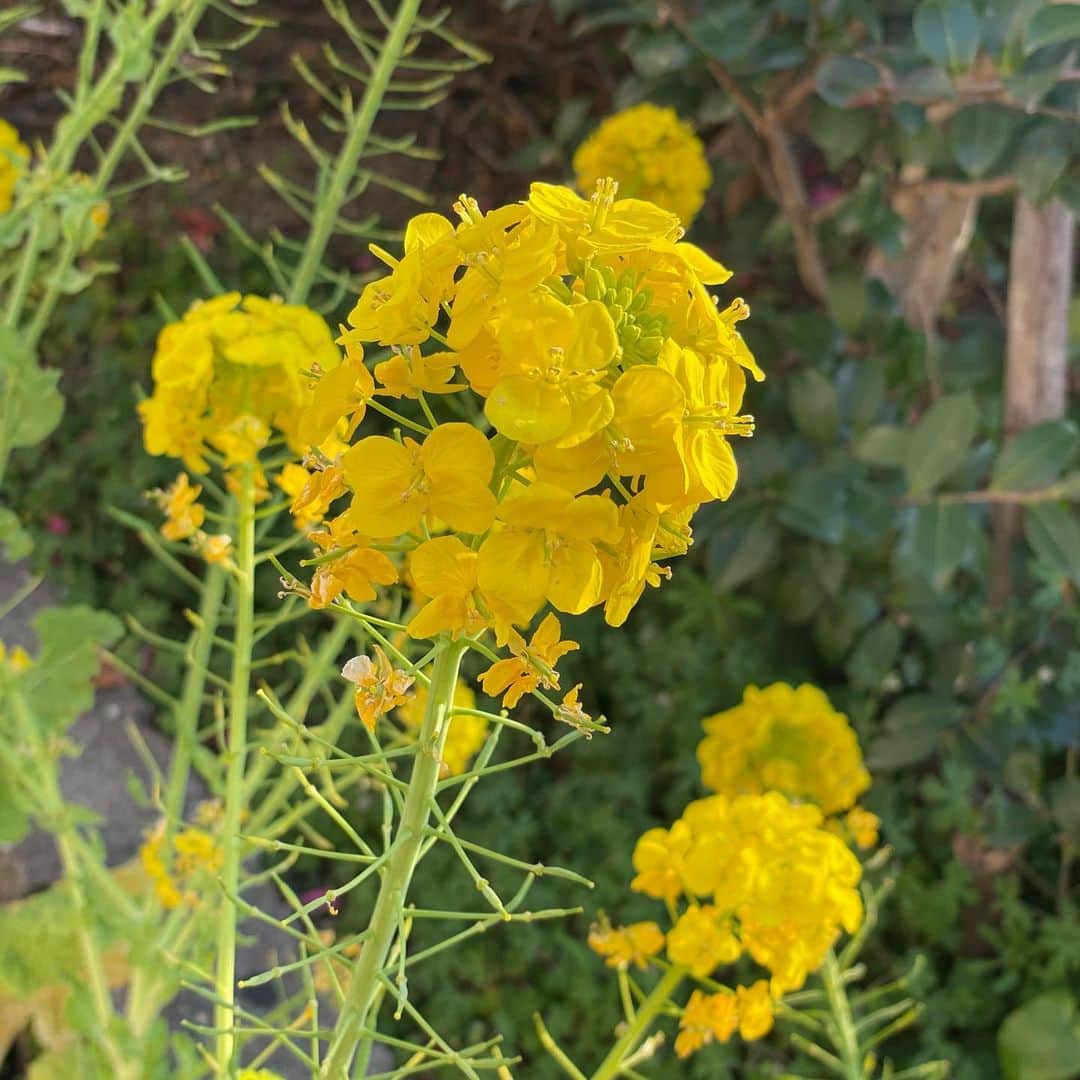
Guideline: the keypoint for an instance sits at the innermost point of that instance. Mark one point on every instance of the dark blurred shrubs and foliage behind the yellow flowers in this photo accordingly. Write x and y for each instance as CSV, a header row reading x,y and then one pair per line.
x,y
895,187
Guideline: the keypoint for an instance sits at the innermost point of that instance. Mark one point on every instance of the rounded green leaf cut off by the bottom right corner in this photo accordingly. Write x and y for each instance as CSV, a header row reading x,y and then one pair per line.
x,y
1042,1039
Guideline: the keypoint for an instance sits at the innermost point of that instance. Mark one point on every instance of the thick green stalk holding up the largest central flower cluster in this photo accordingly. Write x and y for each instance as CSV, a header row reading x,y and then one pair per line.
x,y
404,857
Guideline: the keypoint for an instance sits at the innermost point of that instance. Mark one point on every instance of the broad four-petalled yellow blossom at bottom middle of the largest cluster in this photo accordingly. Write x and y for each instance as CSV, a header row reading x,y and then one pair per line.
x,y
547,550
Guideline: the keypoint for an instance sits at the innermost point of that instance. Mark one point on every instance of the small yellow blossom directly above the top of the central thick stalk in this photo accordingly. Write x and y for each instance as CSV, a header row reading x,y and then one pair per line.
x,y
444,571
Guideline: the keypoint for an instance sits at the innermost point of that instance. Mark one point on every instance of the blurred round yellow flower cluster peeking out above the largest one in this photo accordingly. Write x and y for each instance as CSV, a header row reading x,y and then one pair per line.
x,y
653,155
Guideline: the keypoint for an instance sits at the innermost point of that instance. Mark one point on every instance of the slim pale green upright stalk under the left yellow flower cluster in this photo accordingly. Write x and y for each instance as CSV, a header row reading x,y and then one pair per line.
x,y
236,761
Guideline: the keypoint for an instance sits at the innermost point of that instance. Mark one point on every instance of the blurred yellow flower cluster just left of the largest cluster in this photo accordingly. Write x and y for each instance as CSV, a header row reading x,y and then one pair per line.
x,y
228,374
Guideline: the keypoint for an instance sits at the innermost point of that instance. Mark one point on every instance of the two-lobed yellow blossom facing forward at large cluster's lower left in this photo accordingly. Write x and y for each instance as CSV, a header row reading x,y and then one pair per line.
x,y
397,485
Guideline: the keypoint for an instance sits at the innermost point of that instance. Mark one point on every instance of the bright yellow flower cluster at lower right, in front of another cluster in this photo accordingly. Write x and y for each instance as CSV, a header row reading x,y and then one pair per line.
x,y
761,875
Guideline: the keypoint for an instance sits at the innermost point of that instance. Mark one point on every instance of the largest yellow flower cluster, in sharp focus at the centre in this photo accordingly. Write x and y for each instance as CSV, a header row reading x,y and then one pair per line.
x,y
609,379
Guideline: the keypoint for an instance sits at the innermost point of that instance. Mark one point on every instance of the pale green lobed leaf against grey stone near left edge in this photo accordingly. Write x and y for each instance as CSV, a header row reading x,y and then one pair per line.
x,y
58,686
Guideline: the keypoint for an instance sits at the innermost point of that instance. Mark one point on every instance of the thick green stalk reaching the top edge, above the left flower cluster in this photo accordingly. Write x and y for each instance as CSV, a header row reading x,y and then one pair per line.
x,y
333,198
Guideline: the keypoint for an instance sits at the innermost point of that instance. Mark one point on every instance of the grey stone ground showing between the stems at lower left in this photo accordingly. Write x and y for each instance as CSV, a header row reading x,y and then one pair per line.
x,y
98,779
